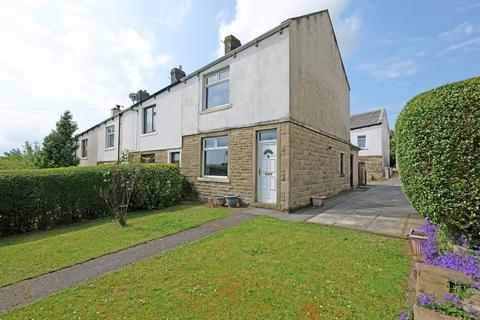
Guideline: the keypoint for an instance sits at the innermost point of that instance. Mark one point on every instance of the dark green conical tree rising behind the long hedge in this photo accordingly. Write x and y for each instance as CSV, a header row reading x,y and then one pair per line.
x,y
60,145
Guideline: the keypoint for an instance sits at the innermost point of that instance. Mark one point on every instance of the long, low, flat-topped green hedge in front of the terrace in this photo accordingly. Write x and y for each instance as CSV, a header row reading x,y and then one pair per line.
x,y
40,199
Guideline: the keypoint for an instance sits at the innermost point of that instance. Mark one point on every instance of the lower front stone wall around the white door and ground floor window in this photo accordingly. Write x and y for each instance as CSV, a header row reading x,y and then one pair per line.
x,y
242,164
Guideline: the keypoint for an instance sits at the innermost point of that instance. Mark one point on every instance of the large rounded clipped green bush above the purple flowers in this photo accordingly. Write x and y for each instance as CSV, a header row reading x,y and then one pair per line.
x,y
438,152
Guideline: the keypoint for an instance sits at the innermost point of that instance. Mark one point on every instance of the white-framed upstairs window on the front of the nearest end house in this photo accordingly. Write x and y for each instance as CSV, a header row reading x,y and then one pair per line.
x,y
217,89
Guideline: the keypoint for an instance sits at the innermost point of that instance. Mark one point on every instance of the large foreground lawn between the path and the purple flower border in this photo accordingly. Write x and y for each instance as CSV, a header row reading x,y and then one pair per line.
x,y
261,269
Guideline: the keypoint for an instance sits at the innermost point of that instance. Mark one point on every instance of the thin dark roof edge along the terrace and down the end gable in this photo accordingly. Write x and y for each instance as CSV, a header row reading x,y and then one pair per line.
x,y
279,28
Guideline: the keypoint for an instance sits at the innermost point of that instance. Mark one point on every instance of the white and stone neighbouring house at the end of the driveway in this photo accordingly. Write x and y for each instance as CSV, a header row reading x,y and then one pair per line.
x,y
370,132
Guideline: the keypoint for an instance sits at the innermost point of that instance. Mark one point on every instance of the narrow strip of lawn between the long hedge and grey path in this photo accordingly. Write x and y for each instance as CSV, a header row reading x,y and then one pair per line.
x,y
28,255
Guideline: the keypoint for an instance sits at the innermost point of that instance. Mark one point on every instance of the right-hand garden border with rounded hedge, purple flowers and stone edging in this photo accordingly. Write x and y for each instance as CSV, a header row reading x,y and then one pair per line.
x,y
438,152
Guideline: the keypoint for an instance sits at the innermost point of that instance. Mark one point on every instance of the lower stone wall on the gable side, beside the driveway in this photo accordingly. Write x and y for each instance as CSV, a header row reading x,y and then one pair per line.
x,y
315,165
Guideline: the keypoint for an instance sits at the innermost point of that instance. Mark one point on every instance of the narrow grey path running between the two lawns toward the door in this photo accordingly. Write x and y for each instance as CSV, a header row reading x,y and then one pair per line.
x,y
28,291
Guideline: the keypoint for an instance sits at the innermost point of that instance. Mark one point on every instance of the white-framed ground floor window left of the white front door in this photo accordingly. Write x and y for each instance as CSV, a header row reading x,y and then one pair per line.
x,y
215,156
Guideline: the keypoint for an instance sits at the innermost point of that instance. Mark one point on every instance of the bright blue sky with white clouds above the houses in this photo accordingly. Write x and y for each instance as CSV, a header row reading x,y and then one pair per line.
x,y
86,56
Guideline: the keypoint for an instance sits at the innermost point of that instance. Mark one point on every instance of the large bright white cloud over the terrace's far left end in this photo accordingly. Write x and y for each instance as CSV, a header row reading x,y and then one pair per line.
x,y
66,56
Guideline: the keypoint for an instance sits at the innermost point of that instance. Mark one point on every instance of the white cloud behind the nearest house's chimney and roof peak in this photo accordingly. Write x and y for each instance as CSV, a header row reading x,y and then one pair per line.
x,y
252,18
